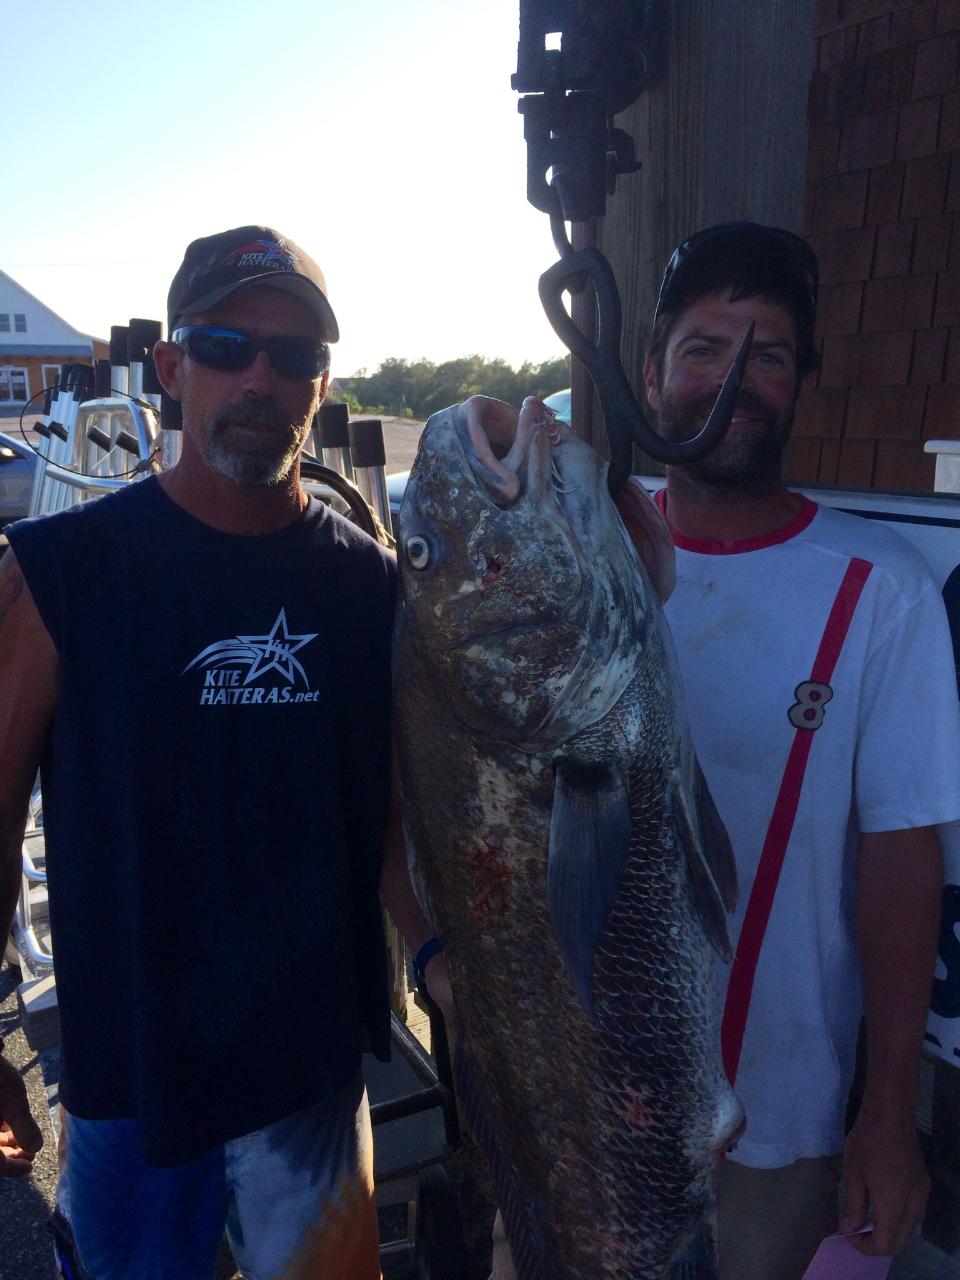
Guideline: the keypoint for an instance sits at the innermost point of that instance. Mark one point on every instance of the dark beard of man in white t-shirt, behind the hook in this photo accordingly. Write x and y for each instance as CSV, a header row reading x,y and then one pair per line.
x,y
748,460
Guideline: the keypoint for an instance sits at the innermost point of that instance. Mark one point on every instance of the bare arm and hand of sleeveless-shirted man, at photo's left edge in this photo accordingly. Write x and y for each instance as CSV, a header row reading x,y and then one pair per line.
x,y
29,682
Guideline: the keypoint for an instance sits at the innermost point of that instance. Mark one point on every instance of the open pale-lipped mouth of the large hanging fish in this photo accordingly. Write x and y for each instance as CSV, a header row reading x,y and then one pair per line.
x,y
511,454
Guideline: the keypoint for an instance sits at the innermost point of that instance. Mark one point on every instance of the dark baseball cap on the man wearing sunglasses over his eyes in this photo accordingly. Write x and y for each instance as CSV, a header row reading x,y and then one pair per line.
x,y
216,267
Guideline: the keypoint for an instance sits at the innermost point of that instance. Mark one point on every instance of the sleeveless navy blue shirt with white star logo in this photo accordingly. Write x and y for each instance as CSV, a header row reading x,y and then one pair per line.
x,y
216,789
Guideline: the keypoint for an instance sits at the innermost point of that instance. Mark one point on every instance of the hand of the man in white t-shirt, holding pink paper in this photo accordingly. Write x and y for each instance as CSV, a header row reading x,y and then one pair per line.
x,y
885,1182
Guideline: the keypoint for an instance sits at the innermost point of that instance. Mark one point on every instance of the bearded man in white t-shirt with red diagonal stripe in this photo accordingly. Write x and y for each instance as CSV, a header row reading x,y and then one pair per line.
x,y
822,696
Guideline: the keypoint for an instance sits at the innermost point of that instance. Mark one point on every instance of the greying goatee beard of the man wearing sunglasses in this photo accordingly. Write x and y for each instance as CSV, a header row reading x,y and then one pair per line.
x,y
264,455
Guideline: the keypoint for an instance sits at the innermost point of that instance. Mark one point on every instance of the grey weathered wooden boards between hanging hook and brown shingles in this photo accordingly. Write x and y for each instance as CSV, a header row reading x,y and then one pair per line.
x,y
723,136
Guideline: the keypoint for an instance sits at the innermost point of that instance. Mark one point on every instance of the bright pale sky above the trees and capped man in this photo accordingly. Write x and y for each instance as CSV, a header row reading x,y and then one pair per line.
x,y
383,138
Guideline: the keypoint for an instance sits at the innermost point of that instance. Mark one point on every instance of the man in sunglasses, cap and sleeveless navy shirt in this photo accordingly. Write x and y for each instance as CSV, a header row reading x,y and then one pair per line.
x,y
200,665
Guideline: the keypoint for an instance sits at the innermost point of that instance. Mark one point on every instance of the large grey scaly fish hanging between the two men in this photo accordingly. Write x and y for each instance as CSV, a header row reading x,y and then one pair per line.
x,y
566,847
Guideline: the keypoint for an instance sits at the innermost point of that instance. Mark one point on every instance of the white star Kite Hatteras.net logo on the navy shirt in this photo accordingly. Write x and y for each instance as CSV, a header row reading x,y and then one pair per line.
x,y
223,665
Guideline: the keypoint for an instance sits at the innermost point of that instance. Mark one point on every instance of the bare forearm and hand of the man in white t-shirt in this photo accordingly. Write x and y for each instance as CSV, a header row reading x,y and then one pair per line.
x,y
899,885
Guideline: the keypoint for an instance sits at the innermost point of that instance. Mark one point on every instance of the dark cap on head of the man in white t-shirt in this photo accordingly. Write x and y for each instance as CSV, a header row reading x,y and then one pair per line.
x,y
767,246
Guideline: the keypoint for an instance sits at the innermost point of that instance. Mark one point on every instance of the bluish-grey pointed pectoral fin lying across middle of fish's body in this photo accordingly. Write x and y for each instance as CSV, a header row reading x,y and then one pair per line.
x,y
589,845
